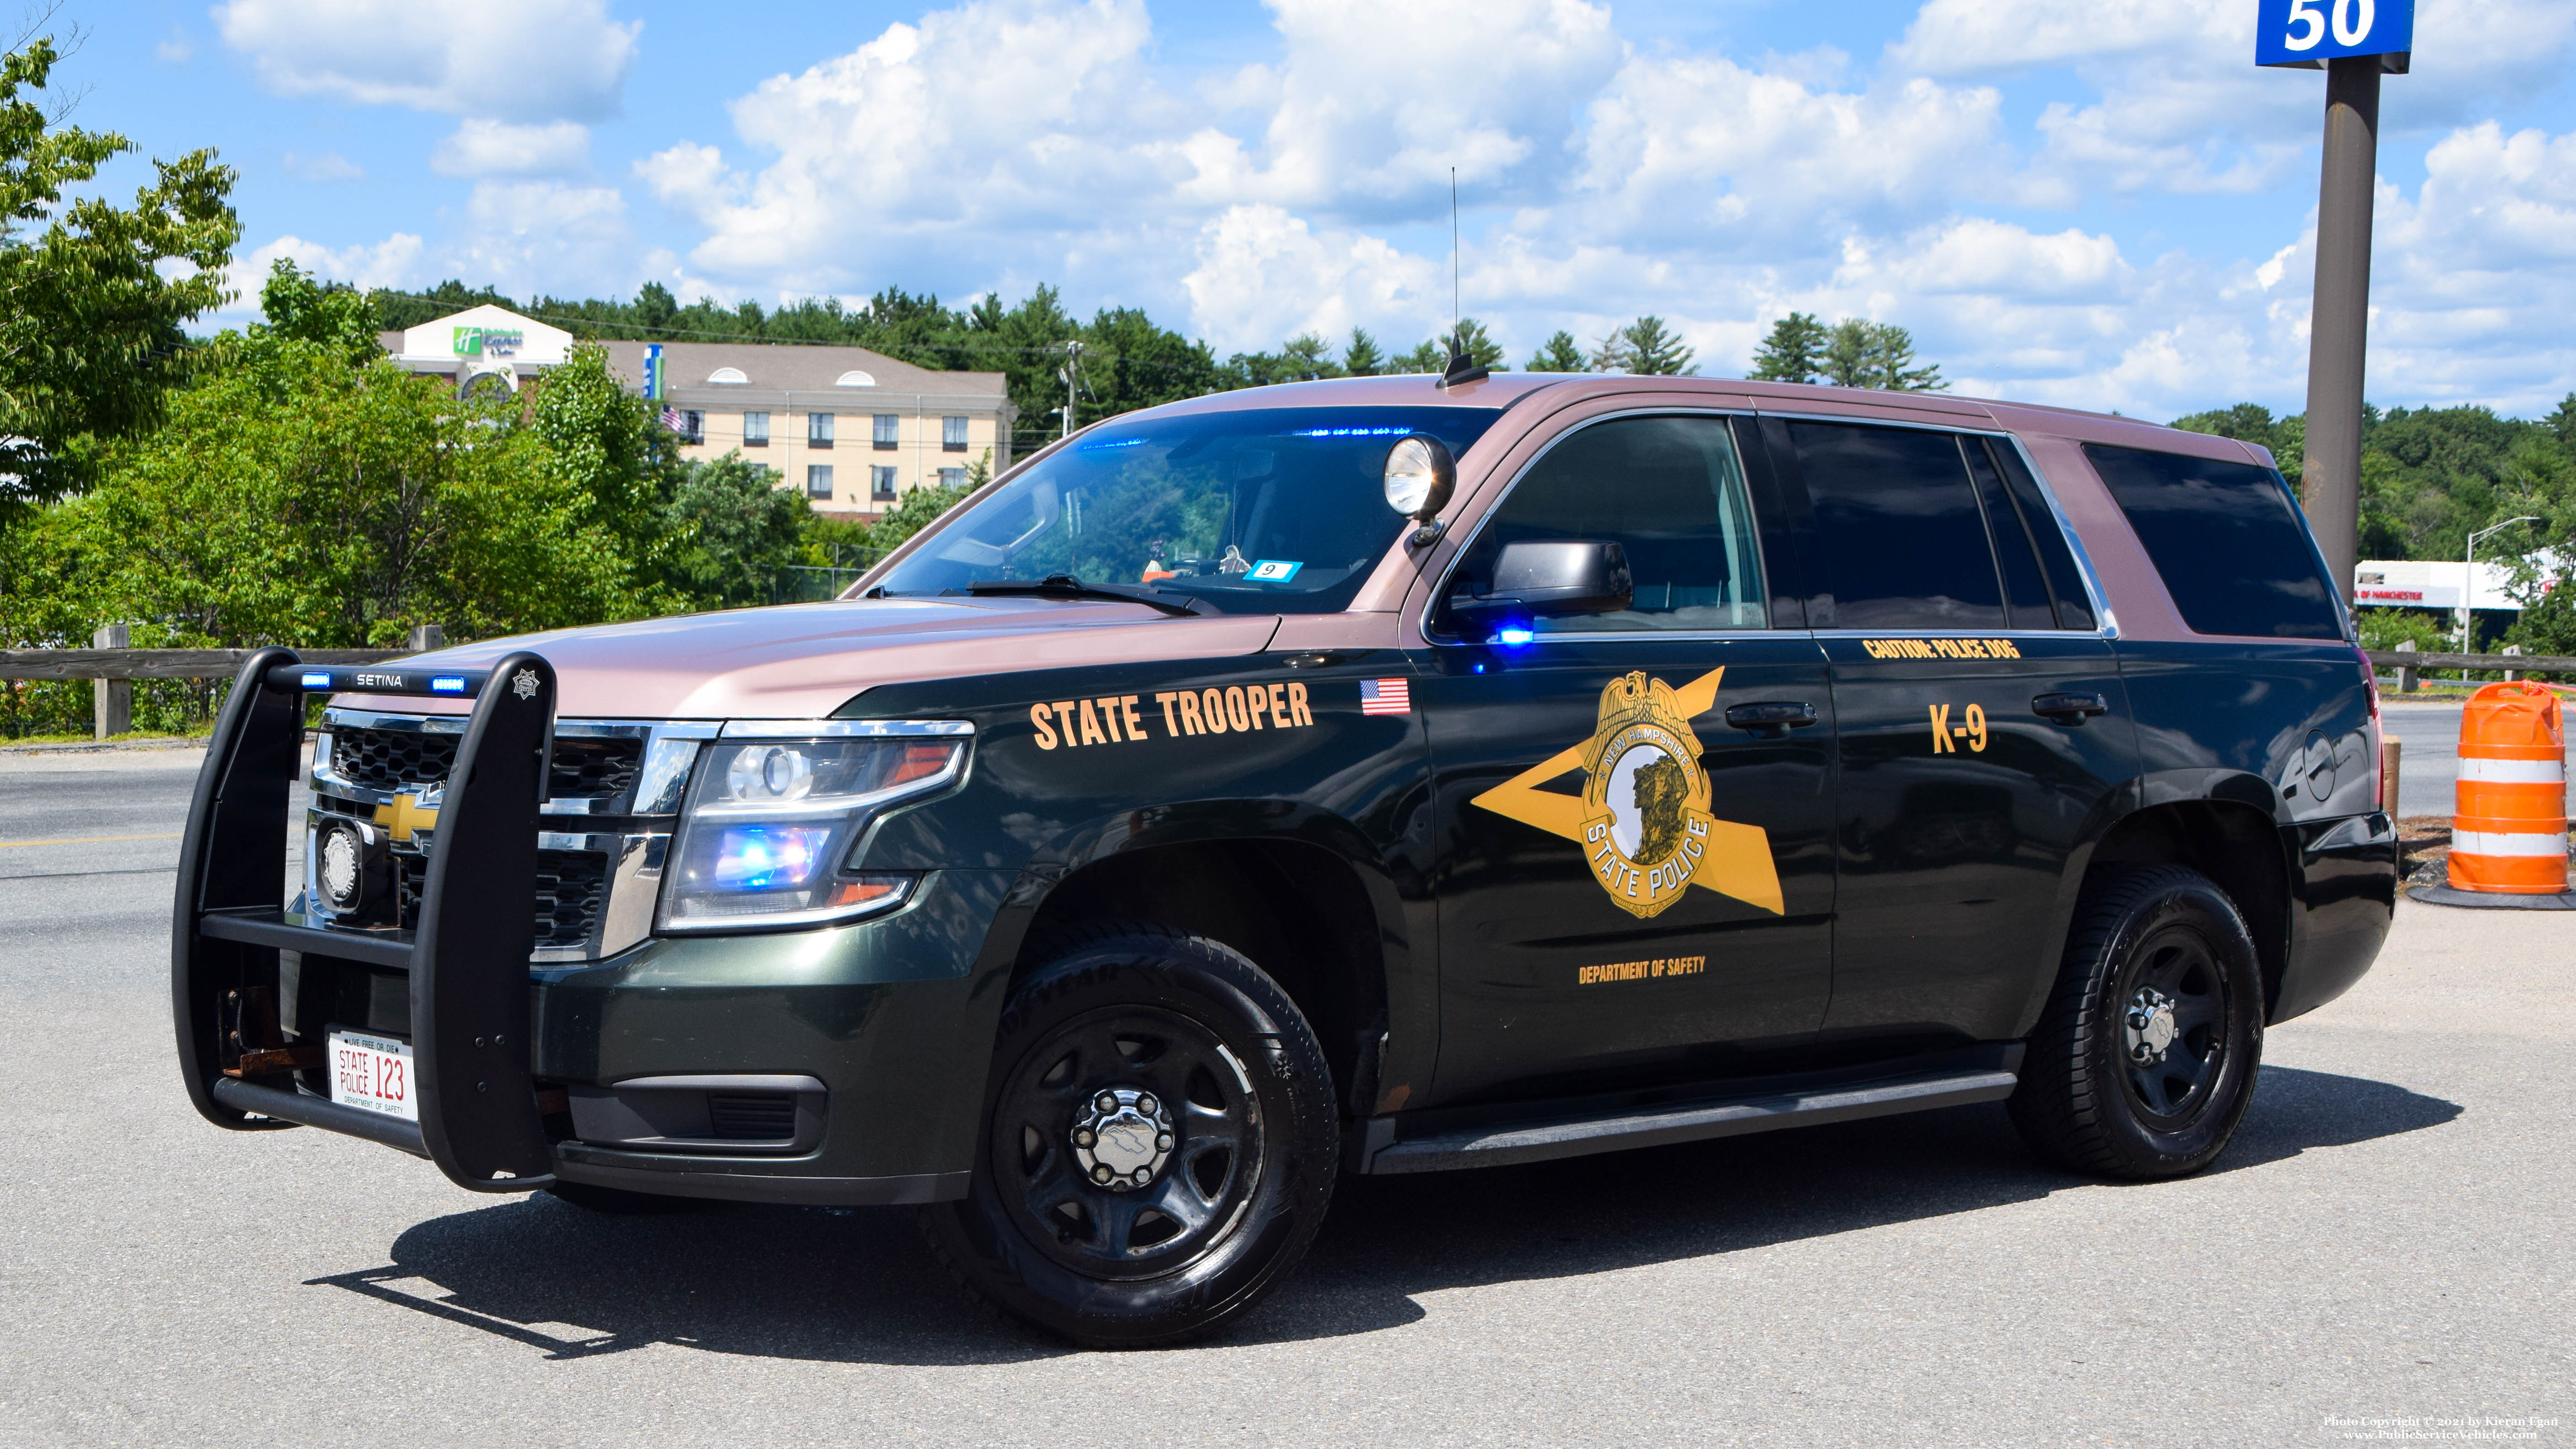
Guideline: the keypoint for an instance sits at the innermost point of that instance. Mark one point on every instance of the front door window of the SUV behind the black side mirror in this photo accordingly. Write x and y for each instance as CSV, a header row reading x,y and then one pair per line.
x,y
1671,493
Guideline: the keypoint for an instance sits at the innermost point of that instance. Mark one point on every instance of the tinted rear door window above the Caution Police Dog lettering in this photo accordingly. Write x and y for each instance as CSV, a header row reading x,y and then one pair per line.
x,y
1905,544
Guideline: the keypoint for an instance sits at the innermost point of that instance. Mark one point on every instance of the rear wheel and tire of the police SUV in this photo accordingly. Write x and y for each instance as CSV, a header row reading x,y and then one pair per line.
x,y
2145,1062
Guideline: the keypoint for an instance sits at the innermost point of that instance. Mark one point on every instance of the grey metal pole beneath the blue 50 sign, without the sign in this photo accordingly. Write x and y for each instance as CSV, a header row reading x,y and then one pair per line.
x,y
2340,315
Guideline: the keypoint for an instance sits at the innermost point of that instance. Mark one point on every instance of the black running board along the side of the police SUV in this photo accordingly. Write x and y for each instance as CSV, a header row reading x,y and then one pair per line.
x,y
1691,1121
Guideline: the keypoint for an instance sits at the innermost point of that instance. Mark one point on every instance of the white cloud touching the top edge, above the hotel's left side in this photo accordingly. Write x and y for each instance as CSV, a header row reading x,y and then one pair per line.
x,y
511,60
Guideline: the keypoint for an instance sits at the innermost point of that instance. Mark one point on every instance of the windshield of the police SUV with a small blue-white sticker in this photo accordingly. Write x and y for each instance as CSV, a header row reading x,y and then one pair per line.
x,y
1276,511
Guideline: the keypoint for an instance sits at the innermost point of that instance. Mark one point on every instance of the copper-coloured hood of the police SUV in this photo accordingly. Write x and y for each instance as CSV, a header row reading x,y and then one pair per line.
x,y
800,663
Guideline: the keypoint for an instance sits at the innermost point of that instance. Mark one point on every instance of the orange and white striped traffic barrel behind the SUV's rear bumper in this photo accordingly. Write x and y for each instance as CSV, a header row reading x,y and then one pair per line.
x,y
2510,825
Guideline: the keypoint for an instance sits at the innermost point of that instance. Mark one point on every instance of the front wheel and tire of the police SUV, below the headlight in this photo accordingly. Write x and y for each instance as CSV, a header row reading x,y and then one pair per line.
x,y
1155,1152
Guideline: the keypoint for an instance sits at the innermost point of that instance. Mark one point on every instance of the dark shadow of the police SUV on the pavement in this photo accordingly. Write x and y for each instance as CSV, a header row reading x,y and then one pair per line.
x,y
859,1286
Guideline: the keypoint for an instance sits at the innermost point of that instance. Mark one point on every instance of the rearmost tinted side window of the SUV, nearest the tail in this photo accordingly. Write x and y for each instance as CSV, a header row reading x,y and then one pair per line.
x,y
2227,539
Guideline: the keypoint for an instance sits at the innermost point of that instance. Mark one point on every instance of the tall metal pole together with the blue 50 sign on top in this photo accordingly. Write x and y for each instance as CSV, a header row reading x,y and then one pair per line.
x,y
2353,42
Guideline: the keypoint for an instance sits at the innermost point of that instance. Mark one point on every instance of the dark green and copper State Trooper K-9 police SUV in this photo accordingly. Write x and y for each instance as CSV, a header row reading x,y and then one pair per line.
x,y
1338,779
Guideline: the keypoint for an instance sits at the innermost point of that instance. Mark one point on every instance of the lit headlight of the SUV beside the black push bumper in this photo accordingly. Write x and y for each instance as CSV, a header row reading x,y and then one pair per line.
x,y
772,827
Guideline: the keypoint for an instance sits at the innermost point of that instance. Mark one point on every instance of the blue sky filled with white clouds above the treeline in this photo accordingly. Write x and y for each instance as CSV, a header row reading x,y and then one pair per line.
x,y
2093,205
